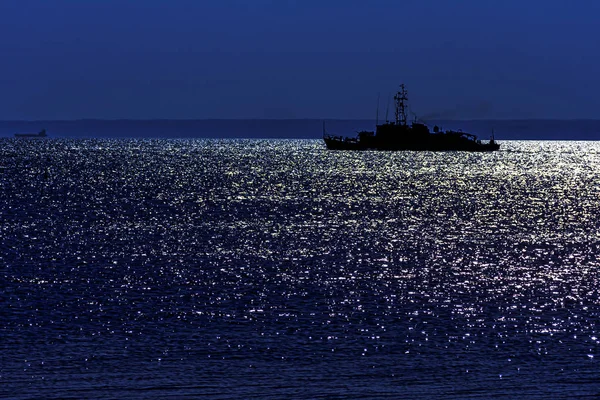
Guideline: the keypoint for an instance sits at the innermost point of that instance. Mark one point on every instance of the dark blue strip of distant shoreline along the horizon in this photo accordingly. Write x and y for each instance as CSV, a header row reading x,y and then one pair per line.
x,y
305,128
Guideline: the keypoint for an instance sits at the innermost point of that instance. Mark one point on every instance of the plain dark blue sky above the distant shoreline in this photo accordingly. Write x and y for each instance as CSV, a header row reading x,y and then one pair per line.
x,y
69,59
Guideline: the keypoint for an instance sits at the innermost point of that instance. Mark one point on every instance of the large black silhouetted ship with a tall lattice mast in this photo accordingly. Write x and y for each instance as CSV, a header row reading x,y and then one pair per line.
x,y
399,135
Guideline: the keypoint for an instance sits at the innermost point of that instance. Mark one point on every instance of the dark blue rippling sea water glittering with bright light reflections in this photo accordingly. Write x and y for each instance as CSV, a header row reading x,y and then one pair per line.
x,y
277,269
